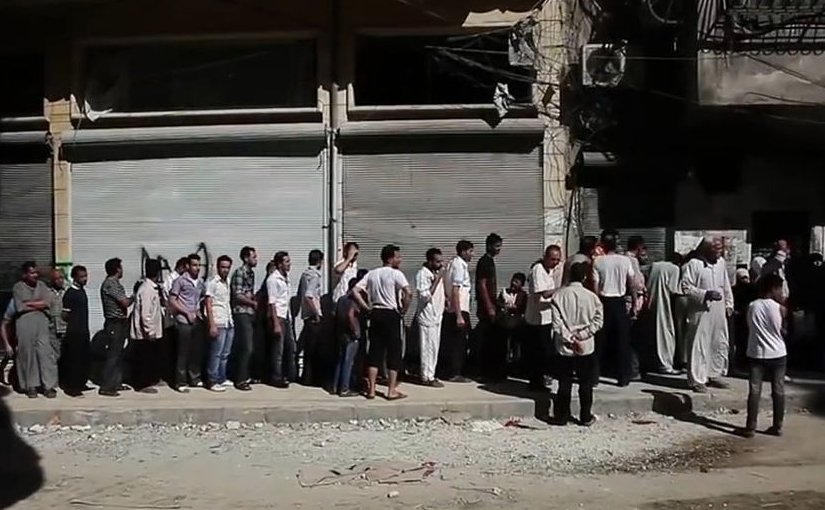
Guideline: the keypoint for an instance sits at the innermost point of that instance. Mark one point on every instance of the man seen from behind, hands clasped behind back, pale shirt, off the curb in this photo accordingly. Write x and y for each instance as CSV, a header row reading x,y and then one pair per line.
x,y
577,317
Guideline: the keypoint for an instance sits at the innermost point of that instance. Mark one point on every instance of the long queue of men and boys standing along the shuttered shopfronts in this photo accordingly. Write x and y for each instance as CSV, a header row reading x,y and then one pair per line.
x,y
578,319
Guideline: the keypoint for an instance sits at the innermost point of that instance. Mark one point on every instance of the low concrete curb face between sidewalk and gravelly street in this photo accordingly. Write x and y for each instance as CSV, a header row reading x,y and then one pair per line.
x,y
666,401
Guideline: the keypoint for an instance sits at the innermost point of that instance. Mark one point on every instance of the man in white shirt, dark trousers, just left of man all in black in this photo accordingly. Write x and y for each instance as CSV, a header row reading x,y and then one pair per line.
x,y
456,324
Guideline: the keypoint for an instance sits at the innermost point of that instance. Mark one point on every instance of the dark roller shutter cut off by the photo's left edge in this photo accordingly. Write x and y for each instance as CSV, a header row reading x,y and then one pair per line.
x,y
25,218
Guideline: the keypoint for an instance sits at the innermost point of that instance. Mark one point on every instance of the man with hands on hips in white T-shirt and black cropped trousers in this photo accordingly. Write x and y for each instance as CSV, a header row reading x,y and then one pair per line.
x,y
383,286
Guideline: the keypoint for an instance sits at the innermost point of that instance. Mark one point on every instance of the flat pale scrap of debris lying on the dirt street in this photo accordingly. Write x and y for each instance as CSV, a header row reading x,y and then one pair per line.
x,y
384,473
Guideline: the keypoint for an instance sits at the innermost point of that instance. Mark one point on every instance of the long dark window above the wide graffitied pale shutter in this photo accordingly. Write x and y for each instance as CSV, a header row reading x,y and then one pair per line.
x,y
202,76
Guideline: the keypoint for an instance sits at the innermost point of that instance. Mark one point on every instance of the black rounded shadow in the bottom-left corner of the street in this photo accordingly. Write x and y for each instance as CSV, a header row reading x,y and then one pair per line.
x,y
20,471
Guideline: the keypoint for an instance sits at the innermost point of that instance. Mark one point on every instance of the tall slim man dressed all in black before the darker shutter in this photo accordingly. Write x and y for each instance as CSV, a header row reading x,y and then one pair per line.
x,y
492,342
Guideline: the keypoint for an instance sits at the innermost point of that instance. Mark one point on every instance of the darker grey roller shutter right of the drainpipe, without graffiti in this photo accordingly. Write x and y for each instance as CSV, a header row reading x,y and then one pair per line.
x,y
423,200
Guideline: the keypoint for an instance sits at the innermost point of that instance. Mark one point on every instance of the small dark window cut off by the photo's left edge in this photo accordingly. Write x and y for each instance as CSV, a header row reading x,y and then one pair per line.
x,y
22,82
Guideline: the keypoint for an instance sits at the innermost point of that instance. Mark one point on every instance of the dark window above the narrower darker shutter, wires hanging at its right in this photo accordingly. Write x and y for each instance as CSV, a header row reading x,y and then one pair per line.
x,y
433,70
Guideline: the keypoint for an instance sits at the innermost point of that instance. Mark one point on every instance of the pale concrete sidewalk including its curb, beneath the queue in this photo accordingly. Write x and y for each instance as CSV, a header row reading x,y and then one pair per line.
x,y
302,404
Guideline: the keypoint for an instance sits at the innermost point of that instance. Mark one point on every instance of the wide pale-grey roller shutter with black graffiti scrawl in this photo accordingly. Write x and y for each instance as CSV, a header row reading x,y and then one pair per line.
x,y
170,207
